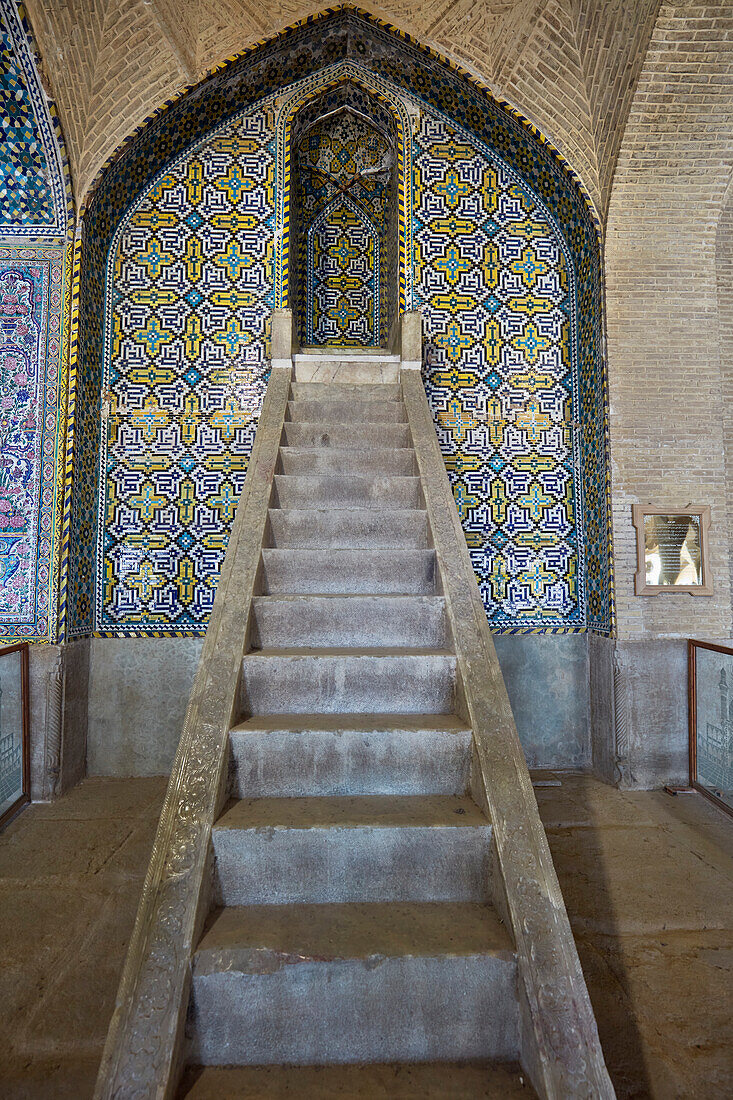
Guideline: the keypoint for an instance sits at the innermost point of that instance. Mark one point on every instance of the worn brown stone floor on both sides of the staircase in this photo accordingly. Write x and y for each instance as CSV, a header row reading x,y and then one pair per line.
x,y
648,881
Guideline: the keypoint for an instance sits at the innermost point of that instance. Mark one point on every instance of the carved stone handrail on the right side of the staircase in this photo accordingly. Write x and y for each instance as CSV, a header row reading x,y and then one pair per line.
x,y
560,1043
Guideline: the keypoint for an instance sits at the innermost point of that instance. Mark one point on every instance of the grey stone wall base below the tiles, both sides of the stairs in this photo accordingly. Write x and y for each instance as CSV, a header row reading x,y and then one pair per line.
x,y
581,702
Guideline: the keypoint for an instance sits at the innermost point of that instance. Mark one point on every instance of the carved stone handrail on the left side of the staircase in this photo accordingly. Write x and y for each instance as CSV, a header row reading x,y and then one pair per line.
x,y
144,1043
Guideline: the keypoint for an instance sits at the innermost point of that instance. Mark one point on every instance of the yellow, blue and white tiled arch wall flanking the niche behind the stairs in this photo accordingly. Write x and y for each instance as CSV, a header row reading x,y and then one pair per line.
x,y
506,266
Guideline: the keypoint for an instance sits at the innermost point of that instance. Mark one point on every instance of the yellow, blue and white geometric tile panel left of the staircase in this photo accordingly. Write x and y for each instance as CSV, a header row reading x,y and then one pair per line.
x,y
191,295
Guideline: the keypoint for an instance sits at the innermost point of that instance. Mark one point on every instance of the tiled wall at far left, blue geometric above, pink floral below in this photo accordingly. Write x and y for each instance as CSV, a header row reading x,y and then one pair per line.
x,y
35,270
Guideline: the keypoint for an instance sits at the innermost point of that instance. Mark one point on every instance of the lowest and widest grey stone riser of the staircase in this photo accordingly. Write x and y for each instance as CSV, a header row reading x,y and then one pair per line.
x,y
386,1010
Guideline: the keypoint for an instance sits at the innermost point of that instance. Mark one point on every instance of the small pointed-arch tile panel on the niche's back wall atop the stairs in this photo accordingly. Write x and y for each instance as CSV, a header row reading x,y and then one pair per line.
x,y
343,278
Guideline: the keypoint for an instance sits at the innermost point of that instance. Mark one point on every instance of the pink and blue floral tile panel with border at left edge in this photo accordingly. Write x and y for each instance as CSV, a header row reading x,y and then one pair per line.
x,y
32,389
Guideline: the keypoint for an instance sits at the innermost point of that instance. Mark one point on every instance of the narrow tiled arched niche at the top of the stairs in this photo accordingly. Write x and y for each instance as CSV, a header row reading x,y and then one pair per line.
x,y
344,146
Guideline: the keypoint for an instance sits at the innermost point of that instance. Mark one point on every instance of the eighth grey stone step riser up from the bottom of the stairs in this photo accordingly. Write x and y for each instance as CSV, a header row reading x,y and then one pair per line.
x,y
347,491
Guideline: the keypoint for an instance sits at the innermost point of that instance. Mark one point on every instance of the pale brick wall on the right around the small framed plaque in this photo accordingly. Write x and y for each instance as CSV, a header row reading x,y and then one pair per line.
x,y
664,346
